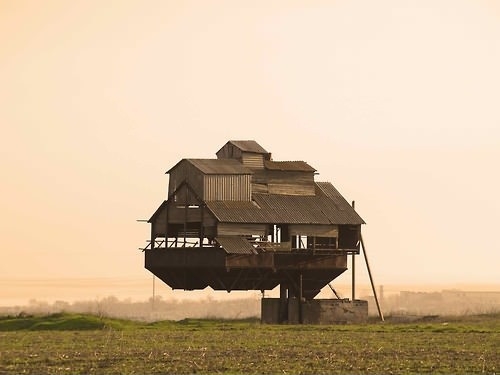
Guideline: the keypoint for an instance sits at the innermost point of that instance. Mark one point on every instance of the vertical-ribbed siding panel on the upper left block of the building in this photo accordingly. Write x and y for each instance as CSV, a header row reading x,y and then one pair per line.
x,y
227,188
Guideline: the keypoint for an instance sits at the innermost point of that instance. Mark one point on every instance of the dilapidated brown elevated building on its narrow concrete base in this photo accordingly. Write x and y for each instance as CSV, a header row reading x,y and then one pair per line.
x,y
243,221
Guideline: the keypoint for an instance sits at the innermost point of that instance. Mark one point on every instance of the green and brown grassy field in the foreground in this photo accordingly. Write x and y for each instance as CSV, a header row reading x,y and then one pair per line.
x,y
82,344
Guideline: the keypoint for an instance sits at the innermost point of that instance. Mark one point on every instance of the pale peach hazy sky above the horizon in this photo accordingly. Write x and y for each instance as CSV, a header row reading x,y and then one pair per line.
x,y
397,103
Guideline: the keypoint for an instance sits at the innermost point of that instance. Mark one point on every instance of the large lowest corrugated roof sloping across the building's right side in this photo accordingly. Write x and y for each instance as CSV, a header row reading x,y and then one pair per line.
x,y
326,207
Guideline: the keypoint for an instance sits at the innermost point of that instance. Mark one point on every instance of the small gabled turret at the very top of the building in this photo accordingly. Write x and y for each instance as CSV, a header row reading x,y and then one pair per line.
x,y
249,153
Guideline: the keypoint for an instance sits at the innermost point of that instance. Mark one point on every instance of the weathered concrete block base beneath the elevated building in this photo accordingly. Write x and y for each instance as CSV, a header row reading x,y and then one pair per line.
x,y
316,311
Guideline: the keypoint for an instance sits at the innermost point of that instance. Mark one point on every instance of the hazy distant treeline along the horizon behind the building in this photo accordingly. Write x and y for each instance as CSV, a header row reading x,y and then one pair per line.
x,y
447,302
